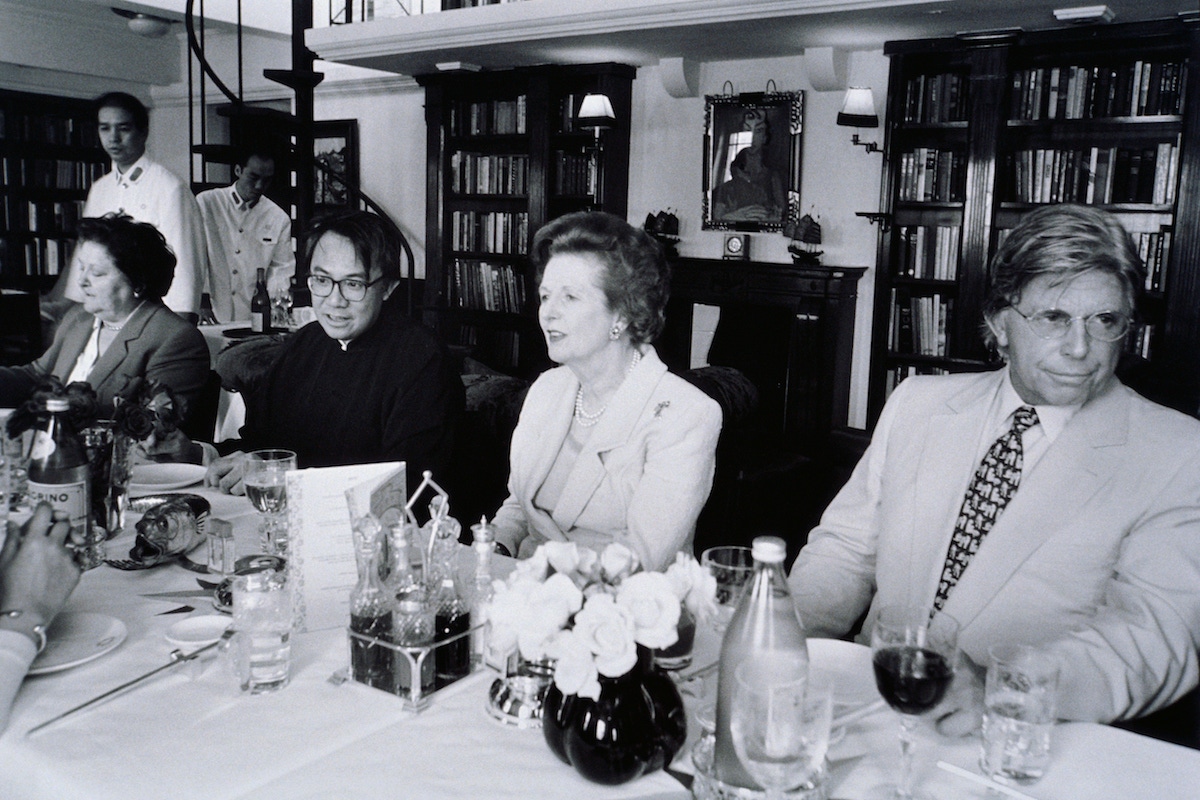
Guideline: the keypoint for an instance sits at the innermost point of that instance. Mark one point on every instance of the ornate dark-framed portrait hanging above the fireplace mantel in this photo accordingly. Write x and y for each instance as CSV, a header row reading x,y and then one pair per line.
x,y
752,171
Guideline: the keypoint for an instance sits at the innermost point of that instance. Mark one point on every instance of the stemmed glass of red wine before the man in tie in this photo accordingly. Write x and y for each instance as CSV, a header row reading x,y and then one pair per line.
x,y
914,655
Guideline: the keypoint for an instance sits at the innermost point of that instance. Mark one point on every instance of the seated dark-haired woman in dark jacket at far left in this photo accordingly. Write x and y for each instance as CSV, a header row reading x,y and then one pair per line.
x,y
122,330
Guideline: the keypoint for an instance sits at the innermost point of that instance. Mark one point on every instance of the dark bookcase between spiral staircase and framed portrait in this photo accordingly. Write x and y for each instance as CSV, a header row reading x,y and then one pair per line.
x,y
505,157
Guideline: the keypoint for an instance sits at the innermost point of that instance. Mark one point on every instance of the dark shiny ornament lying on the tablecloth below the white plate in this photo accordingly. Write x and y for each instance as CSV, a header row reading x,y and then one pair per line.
x,y
171,527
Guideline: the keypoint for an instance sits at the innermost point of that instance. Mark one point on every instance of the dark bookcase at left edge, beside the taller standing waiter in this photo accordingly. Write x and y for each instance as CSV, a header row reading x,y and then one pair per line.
x,y
50,155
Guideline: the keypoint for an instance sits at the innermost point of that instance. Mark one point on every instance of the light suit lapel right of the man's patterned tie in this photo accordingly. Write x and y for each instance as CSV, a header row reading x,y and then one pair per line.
x,y
1060,488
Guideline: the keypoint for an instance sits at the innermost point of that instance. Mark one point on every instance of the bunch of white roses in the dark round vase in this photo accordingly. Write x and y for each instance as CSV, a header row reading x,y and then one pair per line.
x,y
590,612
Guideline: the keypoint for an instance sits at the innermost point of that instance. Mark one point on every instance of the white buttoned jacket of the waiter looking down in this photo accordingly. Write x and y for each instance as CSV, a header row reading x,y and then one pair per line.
x,y
243,239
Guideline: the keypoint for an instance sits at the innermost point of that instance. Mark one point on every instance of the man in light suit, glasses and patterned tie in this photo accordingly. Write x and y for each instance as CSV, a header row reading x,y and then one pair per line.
x,y
1096,558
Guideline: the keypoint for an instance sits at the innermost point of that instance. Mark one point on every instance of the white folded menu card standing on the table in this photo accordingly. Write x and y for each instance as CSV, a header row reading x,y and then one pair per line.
x,y
321,545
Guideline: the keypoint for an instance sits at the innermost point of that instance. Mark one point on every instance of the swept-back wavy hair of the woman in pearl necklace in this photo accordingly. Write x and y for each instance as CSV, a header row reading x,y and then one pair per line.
x,y
635,276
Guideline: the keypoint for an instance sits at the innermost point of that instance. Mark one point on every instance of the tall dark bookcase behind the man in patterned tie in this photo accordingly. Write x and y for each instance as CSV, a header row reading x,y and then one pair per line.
x,y
982,130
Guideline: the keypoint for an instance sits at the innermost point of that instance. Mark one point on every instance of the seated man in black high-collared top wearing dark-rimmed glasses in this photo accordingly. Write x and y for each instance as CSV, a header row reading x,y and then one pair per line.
x,y
364,383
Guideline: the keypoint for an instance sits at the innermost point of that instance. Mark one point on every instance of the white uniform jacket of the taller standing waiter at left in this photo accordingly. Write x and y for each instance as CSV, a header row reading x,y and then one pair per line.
x,y
149,193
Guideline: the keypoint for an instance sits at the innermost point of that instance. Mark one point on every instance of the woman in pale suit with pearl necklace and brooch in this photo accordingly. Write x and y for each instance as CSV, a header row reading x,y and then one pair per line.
x,y
610,447
